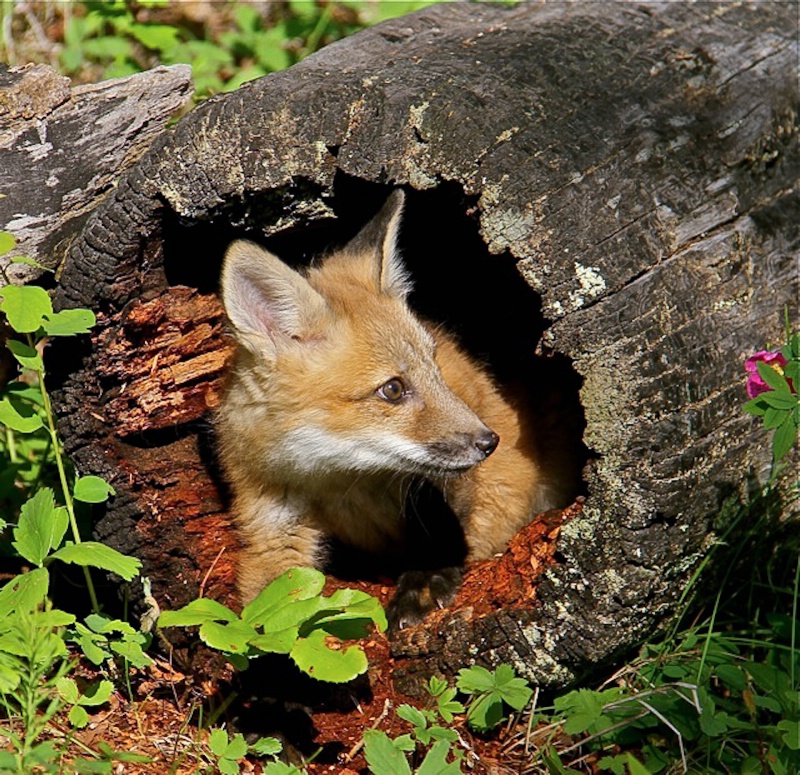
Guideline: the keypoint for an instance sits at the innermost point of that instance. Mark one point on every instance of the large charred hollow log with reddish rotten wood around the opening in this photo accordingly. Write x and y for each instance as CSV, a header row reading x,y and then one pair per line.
x,y
609,187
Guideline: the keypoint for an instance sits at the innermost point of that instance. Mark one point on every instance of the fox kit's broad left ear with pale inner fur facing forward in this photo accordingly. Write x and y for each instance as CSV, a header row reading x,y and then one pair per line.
x,y
267,302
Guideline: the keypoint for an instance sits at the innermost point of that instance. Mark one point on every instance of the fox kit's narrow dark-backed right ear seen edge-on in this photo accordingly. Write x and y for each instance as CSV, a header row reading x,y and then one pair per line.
x,y
379,238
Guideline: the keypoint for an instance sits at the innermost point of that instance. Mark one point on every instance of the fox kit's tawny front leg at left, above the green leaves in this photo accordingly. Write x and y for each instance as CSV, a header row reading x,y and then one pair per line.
x,y
275,539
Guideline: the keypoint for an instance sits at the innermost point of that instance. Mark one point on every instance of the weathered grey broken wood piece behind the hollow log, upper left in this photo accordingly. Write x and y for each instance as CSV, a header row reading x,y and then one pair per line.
x,y
62,149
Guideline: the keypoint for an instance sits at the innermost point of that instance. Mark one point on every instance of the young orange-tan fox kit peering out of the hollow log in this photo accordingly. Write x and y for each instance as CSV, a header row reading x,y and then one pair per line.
x,y
340,399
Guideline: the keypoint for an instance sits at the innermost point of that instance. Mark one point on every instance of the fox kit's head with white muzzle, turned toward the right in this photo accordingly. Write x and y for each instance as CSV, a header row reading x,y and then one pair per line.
x,y
334,372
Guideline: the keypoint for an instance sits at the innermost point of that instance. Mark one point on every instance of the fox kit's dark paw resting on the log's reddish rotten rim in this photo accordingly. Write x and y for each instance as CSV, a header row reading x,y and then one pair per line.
x,y
419,592
